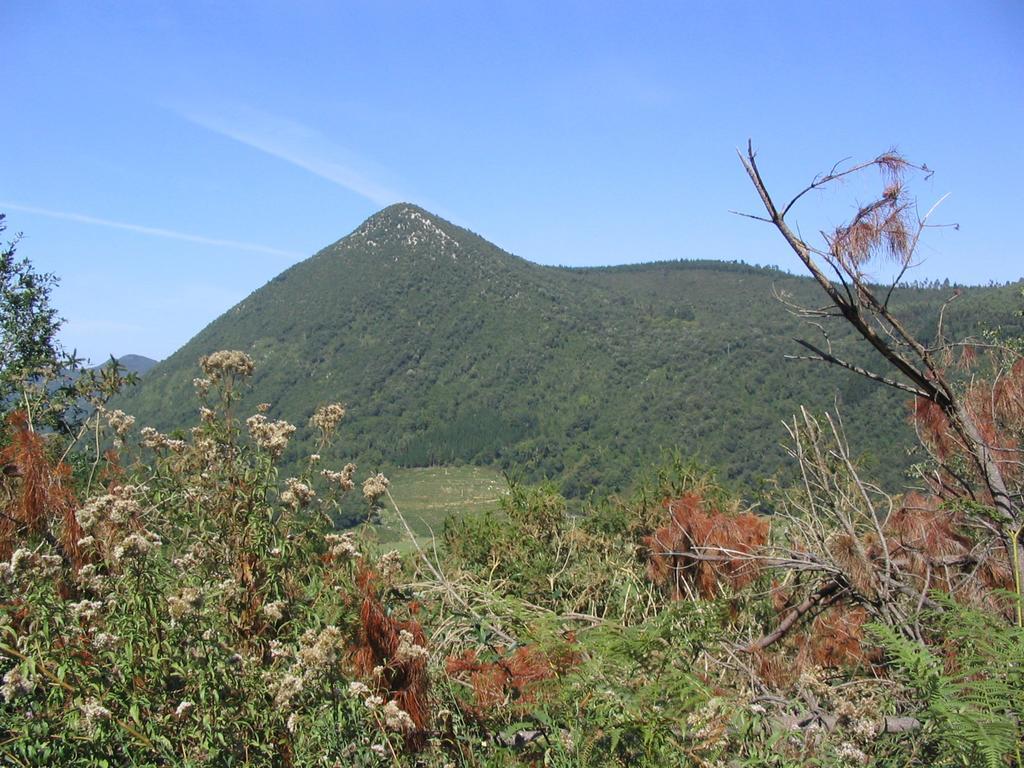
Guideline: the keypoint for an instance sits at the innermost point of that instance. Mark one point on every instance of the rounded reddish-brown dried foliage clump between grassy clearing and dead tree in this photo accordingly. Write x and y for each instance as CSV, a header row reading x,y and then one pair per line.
x,y
699,550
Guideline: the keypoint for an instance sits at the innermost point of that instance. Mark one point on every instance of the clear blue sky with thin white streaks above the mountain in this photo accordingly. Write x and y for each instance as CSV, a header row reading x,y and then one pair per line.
x,y
165,159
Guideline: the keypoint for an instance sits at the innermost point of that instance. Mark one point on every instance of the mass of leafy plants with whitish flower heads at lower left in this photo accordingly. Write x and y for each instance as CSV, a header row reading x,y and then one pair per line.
x,y
182,607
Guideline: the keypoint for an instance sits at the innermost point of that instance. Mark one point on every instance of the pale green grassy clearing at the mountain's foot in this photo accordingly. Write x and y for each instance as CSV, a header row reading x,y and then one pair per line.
x,y
428,496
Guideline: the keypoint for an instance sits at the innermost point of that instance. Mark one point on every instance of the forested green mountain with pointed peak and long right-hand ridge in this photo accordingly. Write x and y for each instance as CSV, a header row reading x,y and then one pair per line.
x,y
447,350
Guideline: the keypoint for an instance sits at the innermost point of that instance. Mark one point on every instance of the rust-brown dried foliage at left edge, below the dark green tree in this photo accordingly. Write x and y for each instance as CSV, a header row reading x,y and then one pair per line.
x,y
39,492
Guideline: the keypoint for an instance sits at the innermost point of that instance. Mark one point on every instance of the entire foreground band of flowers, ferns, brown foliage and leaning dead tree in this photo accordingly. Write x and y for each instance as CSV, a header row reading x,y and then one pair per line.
x,y
174,602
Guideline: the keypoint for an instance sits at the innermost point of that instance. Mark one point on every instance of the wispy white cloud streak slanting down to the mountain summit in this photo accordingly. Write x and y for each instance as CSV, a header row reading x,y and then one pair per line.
x,y
301,146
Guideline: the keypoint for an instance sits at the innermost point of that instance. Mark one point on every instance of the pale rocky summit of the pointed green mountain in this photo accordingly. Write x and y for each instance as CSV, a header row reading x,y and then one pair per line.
x,y
407,227
